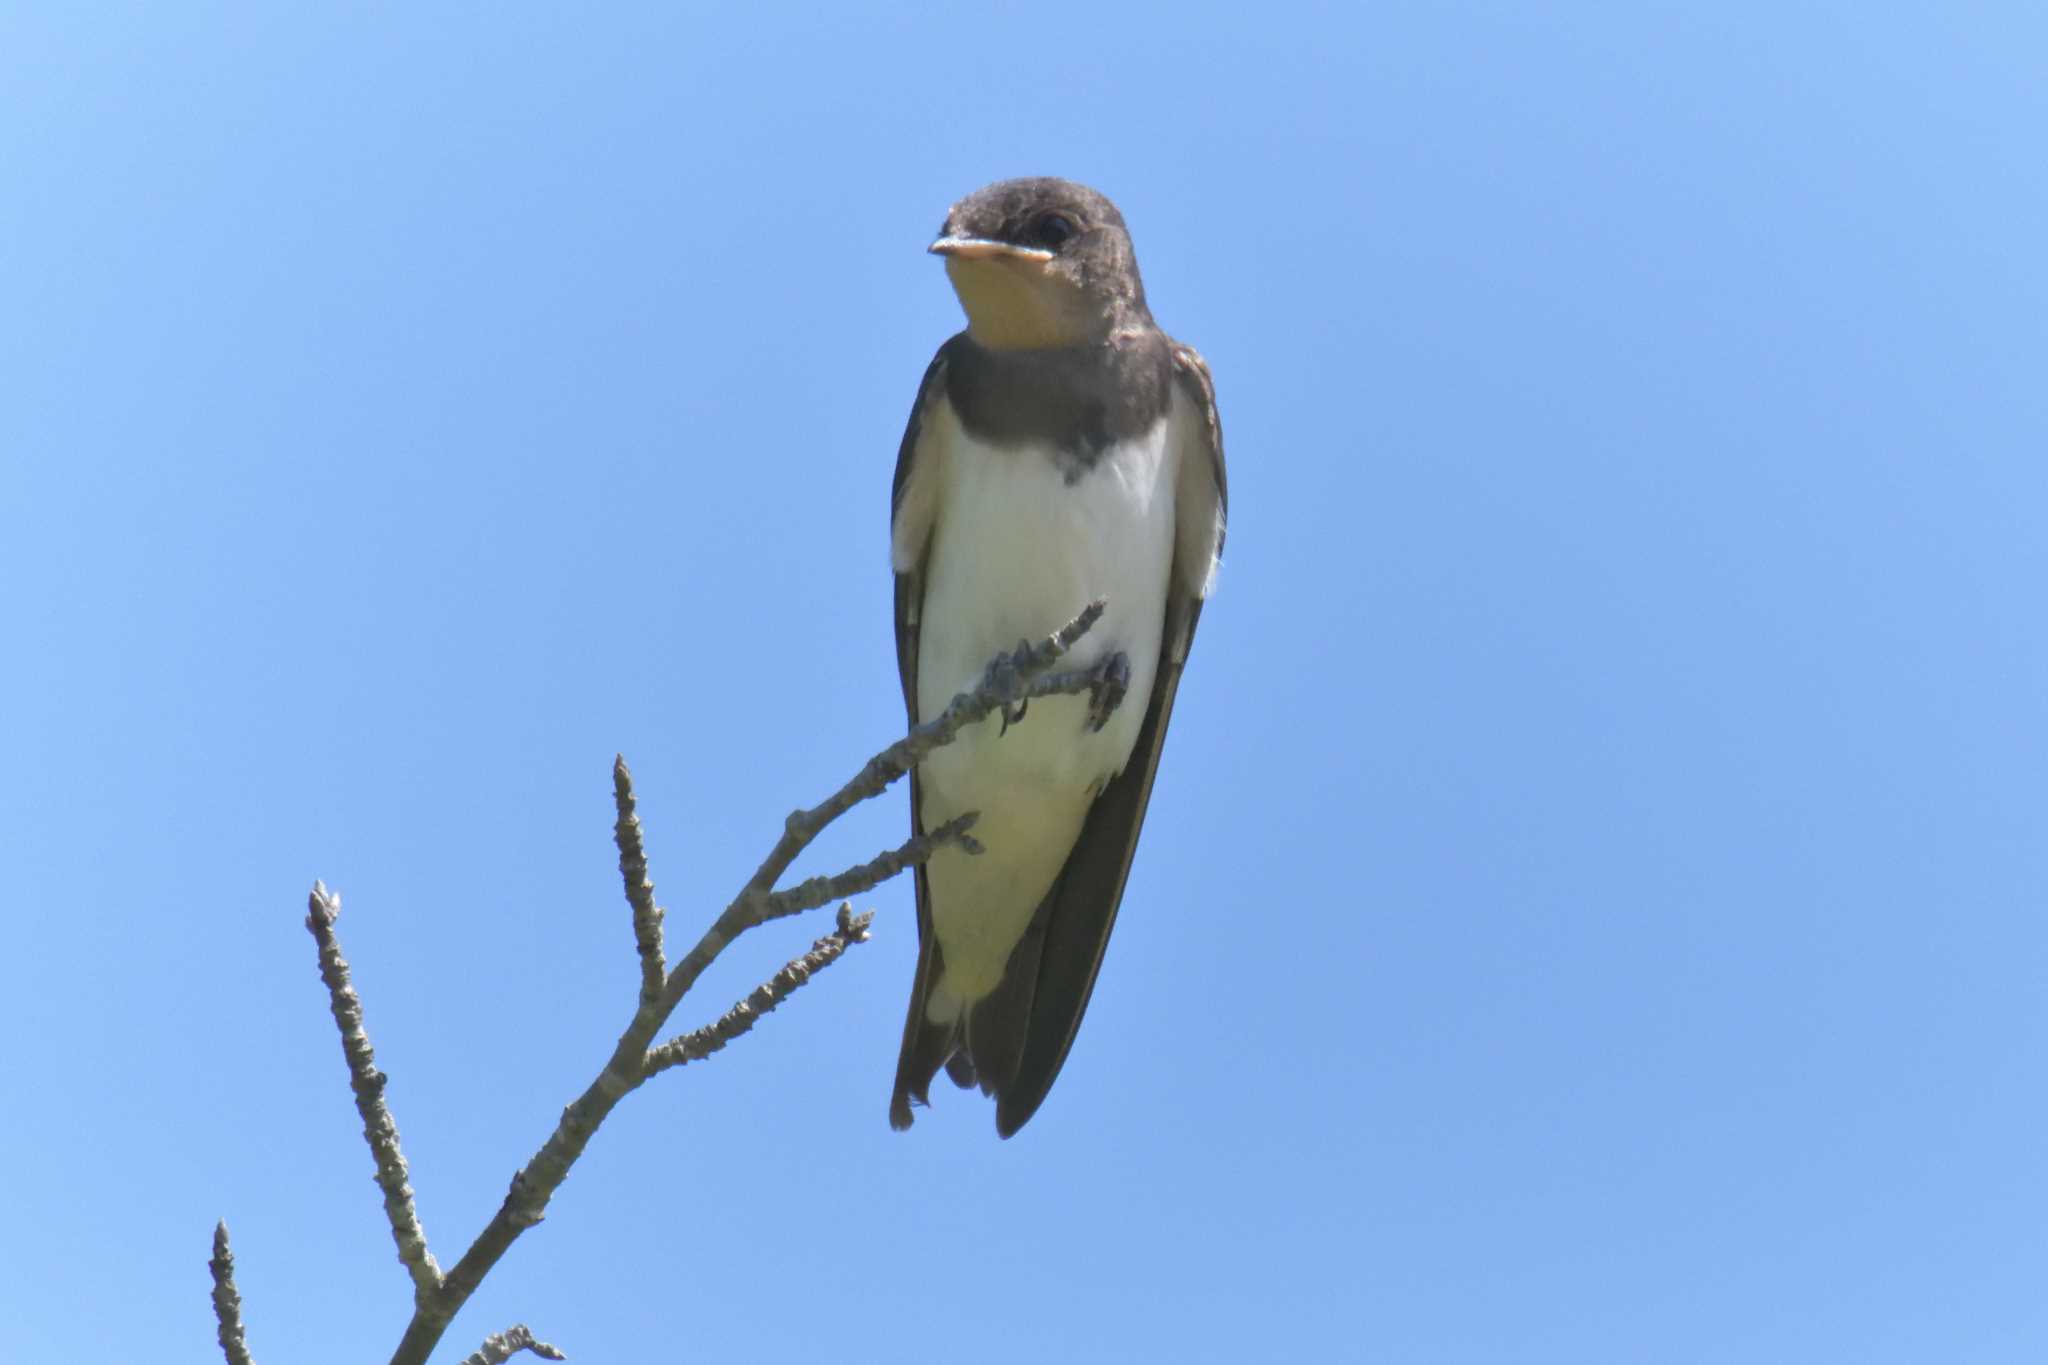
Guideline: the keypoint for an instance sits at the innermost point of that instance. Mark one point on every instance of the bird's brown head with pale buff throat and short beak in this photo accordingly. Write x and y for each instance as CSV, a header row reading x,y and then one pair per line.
x,y
1041,263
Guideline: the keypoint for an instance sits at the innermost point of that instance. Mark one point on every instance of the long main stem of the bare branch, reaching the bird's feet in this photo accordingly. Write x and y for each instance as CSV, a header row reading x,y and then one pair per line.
x,y
1009,680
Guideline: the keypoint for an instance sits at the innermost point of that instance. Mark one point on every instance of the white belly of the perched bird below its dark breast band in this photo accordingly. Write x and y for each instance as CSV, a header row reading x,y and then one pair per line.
x,y
1019,552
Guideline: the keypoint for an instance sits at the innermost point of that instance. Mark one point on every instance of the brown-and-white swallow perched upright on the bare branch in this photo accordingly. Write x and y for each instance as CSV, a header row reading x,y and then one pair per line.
x,y
1062,449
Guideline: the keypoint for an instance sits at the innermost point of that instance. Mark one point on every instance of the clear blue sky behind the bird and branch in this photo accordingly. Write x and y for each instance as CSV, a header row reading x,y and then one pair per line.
x,y
1594,899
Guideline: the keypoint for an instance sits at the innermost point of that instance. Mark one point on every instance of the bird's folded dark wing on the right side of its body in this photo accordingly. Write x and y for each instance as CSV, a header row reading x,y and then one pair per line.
x,y
1082,906
